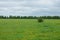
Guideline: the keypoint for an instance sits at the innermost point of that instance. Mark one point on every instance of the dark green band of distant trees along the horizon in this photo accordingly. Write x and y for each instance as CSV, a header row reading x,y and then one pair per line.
x,y
29,17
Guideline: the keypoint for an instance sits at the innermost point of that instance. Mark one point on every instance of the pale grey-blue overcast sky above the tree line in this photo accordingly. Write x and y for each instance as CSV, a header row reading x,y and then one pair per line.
x,y
30,7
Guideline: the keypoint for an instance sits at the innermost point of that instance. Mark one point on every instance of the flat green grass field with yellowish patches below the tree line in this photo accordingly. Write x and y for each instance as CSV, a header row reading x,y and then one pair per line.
x,y
29,29
